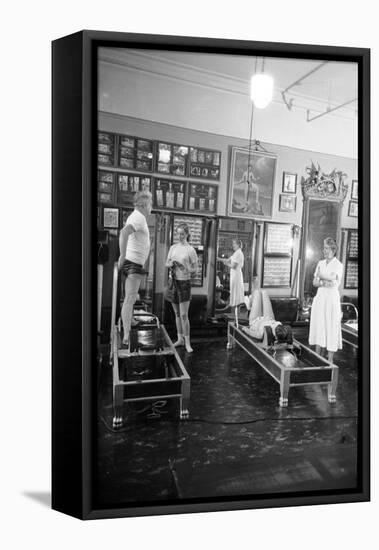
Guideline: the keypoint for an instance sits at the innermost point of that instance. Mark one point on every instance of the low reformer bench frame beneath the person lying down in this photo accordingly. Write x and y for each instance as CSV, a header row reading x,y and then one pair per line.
x,y
289,363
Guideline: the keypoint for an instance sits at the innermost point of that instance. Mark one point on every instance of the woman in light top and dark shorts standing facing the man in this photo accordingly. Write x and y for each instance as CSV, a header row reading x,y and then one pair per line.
x,y
182,259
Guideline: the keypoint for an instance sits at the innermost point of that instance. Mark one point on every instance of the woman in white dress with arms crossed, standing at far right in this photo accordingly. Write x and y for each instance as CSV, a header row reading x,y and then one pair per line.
x,y
325,325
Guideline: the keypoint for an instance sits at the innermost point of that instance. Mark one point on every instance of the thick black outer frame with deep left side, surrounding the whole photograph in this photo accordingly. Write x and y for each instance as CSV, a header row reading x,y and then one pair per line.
x,y
74,338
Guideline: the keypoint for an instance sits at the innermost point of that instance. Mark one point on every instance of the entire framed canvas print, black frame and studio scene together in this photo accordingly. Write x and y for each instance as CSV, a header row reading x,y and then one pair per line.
x,y
192,367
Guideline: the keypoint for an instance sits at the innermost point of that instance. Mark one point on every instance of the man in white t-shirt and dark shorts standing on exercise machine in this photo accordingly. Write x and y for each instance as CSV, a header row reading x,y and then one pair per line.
x,y
134,251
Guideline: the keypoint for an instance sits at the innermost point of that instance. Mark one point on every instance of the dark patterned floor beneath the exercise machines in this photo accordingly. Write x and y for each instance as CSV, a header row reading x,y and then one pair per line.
x,y
237,439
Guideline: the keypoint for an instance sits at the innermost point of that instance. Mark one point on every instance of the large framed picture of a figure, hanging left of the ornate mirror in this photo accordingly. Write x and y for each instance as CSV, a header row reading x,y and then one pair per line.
x,y
251,184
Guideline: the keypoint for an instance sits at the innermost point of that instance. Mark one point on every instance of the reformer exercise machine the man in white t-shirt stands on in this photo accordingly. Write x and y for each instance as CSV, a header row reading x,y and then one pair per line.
x,y
149,369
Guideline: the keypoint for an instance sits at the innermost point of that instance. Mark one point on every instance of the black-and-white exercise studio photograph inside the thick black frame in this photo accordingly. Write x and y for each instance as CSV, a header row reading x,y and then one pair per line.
x,y
228,336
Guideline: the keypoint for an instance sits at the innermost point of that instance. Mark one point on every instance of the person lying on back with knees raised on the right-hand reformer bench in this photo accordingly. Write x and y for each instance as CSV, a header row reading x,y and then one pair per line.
x,y
262,316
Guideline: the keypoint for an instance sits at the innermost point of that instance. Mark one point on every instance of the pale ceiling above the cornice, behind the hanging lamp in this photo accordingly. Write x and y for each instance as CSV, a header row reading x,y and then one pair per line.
x,y
332,85
